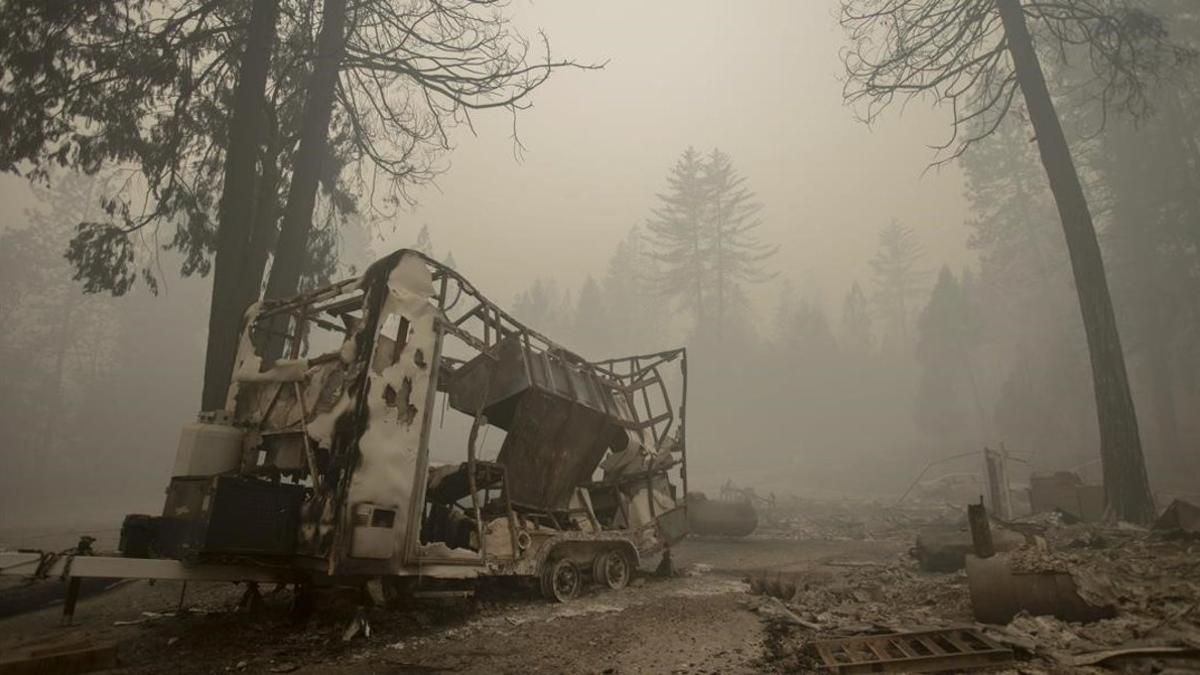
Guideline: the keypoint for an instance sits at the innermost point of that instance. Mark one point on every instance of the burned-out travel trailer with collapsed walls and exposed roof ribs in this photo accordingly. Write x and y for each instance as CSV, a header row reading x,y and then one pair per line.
x,y
335,461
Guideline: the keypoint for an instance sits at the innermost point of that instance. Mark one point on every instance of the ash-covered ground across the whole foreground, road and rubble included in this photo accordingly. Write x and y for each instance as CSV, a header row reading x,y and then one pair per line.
x,y
814,571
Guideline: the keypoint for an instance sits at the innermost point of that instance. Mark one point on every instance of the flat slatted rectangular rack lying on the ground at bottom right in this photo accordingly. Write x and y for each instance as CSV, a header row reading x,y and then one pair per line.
x,y
922,652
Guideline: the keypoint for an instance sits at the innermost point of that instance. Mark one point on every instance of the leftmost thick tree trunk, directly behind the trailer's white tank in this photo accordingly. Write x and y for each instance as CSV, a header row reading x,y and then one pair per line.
x,y
237,208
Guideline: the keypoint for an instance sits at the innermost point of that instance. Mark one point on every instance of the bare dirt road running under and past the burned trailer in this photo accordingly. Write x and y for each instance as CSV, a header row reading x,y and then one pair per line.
x,y
692,624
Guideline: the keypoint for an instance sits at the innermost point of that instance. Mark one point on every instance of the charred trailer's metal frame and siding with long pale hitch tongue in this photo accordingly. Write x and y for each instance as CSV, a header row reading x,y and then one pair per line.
x,y
353,309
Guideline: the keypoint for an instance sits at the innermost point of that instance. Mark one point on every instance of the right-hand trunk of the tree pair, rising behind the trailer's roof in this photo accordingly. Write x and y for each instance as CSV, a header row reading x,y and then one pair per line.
x,y
292,250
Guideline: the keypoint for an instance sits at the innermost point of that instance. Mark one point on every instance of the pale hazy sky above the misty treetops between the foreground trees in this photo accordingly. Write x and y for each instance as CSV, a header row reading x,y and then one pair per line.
x,y
758,80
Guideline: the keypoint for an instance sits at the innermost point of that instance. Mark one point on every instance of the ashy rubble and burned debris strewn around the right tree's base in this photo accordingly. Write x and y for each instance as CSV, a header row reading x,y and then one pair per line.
x,y
1071,596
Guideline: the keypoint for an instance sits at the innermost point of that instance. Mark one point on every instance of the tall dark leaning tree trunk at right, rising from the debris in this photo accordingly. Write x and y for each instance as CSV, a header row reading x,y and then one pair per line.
x,y
1126,487
